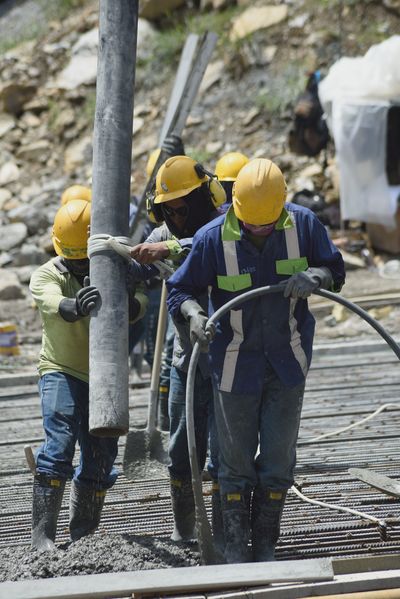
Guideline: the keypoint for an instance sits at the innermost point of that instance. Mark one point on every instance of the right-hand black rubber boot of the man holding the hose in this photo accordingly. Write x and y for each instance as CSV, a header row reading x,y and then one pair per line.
x,y
266,513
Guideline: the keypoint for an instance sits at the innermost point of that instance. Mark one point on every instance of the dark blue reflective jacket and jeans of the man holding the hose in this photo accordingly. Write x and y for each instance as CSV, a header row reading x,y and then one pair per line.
x,y
262,350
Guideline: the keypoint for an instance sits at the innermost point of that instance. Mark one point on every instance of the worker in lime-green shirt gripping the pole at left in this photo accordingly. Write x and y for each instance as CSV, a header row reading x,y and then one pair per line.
x,y
62,292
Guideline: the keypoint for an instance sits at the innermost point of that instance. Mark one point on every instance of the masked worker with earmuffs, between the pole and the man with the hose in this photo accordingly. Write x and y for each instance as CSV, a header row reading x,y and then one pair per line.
x,y
186,198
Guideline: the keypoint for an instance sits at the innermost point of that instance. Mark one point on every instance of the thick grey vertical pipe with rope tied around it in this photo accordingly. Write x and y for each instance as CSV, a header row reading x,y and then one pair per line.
x,y
112,154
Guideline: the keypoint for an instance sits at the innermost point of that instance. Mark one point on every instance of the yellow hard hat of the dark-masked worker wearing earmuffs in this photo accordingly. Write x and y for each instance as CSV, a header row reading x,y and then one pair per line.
x,y
177,177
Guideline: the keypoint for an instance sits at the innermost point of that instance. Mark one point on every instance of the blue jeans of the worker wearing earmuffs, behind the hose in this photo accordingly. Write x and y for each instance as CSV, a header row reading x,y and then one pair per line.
x,y
179,467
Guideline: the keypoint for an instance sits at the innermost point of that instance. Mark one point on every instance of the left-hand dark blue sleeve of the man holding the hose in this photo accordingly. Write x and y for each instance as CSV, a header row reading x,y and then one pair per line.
x,y
192,278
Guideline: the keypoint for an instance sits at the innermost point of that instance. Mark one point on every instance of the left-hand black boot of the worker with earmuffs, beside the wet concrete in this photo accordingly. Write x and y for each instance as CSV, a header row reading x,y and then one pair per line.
x,y
183,509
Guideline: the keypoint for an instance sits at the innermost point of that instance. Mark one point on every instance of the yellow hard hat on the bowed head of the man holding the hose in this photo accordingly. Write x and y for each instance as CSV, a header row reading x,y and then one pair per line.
x,y
259,192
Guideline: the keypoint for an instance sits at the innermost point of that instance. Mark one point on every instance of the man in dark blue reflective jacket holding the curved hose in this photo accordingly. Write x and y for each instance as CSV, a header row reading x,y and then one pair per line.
x,y
261,351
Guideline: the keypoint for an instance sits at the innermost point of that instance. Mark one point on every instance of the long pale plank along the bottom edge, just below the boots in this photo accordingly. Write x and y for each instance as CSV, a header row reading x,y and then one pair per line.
x,y
201,578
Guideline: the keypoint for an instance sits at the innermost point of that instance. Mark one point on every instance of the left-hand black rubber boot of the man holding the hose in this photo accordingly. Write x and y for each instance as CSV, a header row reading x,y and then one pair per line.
x,y
236,519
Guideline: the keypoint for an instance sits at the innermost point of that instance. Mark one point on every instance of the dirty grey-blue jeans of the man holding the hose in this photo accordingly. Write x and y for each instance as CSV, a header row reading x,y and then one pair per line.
x,y
269,420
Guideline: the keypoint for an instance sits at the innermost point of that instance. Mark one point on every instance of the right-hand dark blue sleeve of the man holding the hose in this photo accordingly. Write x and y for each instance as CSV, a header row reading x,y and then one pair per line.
x,y
324,252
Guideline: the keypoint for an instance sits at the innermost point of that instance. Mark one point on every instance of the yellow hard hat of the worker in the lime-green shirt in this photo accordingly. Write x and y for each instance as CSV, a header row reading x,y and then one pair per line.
x,y
70,230
